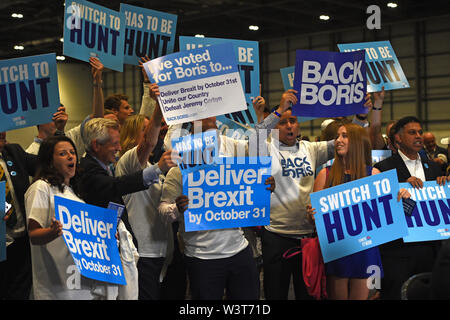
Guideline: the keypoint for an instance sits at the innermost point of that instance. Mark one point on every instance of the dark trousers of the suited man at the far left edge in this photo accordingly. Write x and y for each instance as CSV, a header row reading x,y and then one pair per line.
x,y
15,272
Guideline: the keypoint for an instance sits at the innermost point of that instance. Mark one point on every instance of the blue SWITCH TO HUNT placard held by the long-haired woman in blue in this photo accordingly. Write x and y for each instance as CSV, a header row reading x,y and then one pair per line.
x,y
358,215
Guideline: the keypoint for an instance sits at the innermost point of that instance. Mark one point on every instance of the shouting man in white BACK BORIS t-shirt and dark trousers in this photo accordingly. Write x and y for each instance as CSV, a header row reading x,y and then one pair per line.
x,y
294,163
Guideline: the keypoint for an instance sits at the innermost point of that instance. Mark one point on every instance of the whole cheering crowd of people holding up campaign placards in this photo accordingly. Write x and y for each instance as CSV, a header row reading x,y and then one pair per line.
x,y
117,156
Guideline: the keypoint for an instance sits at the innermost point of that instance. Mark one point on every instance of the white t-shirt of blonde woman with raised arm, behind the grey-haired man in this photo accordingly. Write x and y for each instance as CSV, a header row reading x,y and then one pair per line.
x,y
142,207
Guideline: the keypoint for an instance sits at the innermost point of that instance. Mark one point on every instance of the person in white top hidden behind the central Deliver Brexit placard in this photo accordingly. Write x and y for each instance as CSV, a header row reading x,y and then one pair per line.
x,y
217,260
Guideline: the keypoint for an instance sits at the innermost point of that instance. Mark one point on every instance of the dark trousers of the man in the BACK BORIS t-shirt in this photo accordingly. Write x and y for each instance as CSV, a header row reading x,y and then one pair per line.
x,y
278,270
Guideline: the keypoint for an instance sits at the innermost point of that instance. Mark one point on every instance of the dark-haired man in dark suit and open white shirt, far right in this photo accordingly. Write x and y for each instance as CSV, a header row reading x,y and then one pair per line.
x,y
402,260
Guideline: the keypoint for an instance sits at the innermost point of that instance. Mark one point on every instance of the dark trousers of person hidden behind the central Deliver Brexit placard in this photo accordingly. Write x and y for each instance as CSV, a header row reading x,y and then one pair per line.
x,y
238,275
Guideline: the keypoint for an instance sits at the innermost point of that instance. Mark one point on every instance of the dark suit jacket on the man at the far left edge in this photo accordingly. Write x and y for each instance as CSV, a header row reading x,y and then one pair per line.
x,y
20,165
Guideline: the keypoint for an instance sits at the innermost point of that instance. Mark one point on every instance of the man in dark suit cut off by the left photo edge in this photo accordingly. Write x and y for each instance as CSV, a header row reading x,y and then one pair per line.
x,y
15,271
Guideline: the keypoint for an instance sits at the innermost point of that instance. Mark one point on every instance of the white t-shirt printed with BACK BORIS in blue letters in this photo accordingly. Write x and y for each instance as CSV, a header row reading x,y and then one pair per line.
x,y
294,171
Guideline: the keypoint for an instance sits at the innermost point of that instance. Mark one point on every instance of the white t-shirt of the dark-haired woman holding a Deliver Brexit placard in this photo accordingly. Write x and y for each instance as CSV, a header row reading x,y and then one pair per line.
x,y
55,276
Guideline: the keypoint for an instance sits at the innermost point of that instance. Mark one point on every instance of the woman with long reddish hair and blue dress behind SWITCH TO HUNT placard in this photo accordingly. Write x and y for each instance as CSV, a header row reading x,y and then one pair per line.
x,y
347,276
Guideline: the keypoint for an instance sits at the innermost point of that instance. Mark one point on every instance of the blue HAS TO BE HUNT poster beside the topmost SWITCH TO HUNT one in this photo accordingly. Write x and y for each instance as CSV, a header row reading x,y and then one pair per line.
x,y
147,33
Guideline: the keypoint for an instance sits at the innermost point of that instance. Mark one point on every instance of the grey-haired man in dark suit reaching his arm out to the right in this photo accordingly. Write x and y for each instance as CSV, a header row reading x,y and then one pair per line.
x,y
98,184
